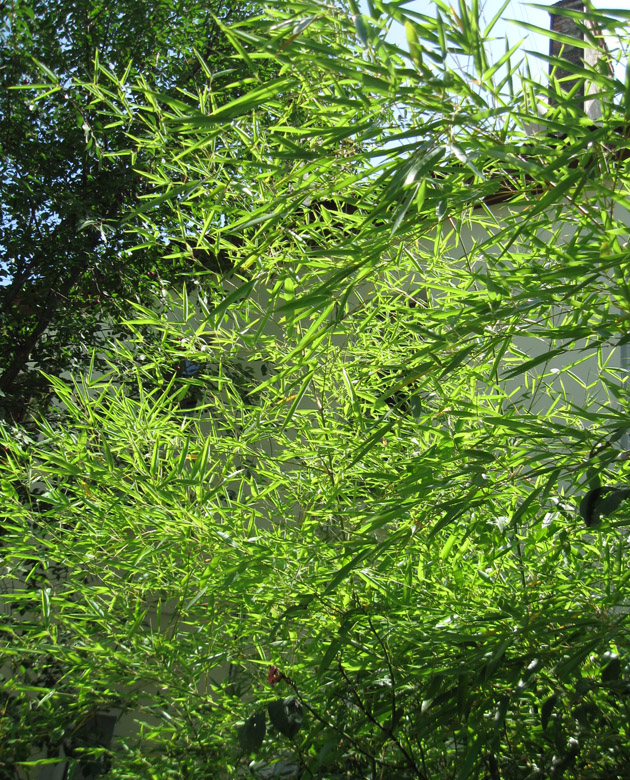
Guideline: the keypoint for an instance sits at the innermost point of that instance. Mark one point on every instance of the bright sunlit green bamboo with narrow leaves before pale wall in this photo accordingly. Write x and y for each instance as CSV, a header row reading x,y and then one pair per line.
x,y
357,509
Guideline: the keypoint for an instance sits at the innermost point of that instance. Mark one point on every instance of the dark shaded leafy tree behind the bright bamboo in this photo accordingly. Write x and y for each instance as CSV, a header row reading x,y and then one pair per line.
x,y
65,256
